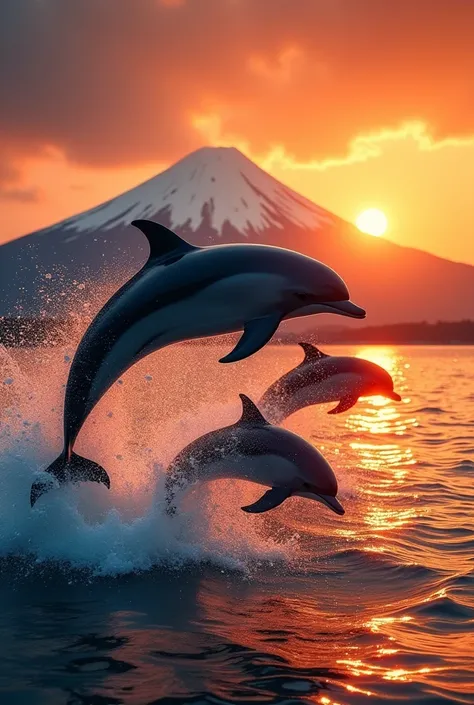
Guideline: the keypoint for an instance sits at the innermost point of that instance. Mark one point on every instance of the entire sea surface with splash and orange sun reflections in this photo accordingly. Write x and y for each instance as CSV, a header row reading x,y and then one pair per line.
x,y
106,601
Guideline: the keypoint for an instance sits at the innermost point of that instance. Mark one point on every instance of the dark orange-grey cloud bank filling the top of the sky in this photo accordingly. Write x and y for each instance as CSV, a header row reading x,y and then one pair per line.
x,y
117,82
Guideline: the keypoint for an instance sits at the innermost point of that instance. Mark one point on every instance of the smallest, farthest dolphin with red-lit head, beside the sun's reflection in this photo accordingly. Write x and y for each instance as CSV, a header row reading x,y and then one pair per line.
x,y
323,378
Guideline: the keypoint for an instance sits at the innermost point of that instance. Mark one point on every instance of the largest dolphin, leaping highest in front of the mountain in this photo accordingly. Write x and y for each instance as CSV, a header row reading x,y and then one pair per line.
x,y
185,292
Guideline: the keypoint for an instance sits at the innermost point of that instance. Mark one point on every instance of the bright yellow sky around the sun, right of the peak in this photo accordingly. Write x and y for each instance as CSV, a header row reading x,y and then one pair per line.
x,y
421,183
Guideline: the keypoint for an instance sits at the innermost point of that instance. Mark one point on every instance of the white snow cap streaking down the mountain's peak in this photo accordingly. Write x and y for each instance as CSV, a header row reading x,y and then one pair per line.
x,y
219,179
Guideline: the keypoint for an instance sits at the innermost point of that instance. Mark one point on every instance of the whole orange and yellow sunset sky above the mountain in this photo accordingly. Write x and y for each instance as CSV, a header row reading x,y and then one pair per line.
x,y
353,103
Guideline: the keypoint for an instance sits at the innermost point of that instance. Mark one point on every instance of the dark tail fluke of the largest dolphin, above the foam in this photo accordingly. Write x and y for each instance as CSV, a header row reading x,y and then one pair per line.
x,y
77,469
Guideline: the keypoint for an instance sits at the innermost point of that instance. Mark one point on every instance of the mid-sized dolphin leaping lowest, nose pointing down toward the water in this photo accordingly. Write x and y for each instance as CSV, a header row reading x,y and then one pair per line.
x,y
254,450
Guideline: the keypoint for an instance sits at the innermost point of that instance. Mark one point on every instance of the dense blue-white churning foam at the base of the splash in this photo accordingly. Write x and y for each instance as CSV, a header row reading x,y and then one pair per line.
x,y
79,526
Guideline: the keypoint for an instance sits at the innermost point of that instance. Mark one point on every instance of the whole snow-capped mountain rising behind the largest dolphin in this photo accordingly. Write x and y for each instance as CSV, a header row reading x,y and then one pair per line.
x,y
217,195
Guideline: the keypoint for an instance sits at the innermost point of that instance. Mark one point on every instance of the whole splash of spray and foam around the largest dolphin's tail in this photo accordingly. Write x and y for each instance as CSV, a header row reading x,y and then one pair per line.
x,y
124,530
